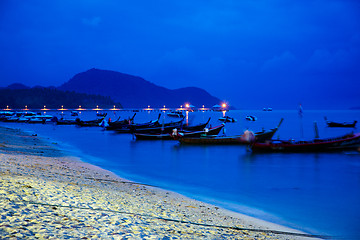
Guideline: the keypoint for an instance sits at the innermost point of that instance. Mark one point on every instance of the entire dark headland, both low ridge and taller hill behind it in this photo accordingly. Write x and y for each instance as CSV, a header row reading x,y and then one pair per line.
x,y
106,89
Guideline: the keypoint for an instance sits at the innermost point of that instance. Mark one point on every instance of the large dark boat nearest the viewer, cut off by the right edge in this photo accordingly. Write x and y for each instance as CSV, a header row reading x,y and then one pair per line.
x,y
349,141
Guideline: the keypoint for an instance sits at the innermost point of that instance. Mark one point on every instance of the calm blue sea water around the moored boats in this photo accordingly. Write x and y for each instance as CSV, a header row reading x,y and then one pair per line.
x,y
314,192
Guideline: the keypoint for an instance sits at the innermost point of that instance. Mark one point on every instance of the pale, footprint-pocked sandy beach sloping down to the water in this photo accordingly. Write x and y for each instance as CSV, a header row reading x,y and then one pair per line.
x,y
46,194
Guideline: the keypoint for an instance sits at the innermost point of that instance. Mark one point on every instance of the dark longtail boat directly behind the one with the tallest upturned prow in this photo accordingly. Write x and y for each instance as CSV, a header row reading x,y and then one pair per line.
x,y
180,134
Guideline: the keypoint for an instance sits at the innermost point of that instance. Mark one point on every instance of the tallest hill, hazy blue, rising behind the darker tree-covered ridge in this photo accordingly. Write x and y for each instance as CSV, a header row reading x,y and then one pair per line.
x,y
135,92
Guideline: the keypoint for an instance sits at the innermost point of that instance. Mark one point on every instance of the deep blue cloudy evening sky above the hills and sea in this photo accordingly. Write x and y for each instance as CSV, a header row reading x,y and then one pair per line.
x,y
251,53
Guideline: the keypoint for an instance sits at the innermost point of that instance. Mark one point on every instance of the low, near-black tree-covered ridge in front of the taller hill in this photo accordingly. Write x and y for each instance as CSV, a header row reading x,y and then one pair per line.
x,y
37,98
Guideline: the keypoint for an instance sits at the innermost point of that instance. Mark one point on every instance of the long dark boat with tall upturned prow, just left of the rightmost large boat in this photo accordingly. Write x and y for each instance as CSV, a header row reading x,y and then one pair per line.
x,y
237,139
